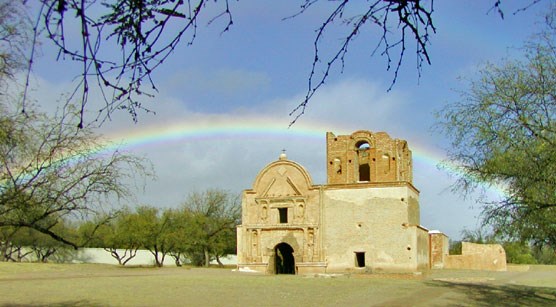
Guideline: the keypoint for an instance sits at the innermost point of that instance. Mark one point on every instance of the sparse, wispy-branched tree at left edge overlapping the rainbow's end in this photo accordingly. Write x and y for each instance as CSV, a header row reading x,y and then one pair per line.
x,y
50,171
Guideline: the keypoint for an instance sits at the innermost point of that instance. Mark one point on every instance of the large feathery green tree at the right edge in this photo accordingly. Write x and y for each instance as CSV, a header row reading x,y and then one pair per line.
x,y
503,133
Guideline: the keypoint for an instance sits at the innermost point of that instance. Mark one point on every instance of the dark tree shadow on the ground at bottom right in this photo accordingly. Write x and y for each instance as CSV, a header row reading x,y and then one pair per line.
x,y
483,294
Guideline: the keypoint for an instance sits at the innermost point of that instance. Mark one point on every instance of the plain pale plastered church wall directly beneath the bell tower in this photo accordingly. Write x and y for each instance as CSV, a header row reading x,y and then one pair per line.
x,y
374,221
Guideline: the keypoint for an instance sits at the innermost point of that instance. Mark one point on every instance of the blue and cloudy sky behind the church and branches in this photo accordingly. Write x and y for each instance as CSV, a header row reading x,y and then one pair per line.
x,y
222,109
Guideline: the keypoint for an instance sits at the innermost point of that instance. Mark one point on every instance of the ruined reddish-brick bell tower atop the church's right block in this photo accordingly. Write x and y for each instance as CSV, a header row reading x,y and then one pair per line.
x,y
364,157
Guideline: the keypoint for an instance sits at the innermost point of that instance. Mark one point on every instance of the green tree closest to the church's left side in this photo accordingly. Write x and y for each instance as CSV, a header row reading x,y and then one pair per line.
x,y
215,215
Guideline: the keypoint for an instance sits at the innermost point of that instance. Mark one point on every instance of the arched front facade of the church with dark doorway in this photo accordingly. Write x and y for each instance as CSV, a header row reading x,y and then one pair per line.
x,y
281,186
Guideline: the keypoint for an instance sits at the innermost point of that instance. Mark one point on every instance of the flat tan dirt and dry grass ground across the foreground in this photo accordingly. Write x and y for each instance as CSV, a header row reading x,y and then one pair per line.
x,y
26,284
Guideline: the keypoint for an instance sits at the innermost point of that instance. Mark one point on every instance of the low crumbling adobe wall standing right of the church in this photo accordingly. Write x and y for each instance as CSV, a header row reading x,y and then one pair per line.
x,y
488,257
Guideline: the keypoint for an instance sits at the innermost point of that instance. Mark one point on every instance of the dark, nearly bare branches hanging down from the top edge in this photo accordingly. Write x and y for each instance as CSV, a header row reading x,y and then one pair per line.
x,y
146,32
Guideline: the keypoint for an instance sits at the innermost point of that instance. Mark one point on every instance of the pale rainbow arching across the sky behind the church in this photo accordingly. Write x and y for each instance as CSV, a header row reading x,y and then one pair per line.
x,y
220,128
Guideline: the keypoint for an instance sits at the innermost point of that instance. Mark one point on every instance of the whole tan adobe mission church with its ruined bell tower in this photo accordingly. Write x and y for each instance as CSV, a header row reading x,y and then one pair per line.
x,y
366,218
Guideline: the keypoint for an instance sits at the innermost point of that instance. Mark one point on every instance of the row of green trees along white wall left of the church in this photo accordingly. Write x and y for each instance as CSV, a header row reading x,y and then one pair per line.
x,y
202,229
